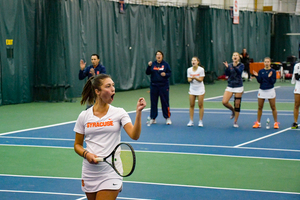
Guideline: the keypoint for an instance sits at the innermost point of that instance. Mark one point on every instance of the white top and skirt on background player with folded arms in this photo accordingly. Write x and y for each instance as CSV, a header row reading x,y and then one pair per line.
x,y
196,87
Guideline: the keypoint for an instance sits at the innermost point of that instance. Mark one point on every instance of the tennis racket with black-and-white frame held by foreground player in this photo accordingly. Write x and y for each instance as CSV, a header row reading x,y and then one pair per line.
x,y
121,159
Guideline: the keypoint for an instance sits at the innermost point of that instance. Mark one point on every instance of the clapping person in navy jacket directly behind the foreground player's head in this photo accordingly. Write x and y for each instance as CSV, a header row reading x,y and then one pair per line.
x,y
91,70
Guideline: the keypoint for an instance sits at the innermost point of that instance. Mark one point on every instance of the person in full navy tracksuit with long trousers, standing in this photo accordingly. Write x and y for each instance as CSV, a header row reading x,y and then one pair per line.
x,y
160,72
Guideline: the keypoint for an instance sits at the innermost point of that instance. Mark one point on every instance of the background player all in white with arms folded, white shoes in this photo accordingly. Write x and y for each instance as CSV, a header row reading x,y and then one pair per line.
x,y
195,76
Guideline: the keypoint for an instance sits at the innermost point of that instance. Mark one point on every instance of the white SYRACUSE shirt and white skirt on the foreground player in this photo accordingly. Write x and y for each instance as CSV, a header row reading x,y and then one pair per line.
x,y
101,137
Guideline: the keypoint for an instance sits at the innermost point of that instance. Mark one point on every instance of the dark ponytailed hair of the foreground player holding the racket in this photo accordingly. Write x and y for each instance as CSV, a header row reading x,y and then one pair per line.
x,y
88,93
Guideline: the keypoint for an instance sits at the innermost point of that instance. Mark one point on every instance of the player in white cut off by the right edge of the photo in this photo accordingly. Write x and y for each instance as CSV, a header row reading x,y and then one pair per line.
x,y
296,81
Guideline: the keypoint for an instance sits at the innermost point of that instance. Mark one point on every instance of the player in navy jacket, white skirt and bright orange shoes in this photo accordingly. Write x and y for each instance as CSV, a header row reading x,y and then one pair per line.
x,y
266,77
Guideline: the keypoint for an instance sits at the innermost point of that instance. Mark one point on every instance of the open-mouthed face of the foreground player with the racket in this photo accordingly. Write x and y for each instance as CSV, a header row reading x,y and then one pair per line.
x,y
107,92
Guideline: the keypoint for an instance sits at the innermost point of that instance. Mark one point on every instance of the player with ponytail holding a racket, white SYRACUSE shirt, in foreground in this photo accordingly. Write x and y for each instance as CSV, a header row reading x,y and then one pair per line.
x,y
100,128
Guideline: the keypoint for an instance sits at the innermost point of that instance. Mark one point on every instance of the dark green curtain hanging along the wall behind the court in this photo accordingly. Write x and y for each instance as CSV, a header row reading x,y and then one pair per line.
x,y
51,36
